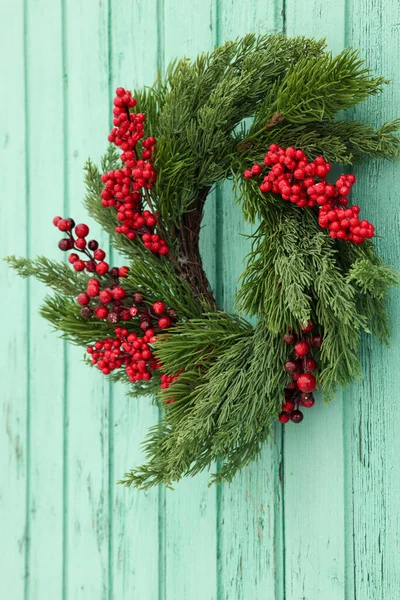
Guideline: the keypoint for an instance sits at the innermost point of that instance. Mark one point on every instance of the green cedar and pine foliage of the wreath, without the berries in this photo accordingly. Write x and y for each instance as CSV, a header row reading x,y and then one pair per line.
x,y
231,373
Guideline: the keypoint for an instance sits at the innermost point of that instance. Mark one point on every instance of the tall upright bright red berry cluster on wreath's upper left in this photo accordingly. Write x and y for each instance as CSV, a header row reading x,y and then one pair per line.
x,y
126,188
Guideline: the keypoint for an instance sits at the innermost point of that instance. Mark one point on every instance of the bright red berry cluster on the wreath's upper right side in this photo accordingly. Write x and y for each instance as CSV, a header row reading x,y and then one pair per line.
x,y
293,177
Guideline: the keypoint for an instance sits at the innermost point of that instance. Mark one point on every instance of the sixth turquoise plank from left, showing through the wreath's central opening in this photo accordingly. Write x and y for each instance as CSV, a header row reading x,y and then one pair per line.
x,y
249,527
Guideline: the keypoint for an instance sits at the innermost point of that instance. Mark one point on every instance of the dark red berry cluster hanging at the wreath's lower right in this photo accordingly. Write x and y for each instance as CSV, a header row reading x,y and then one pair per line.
x,y
299,391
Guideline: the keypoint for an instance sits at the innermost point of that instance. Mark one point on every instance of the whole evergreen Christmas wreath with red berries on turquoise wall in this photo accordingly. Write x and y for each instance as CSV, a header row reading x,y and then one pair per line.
x,y
266,111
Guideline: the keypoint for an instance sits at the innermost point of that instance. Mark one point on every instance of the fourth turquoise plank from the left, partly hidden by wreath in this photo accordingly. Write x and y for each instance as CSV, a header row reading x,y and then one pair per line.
x,y
135,542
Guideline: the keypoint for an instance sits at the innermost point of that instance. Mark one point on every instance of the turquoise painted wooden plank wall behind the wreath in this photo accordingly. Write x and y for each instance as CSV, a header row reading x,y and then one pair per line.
x,y
319,517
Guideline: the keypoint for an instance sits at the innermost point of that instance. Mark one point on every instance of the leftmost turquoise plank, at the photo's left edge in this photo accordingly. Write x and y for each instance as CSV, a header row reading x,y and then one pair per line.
x,y
15,361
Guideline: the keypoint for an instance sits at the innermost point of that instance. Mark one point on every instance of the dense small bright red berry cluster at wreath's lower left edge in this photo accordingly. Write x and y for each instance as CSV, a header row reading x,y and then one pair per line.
x,y
126,350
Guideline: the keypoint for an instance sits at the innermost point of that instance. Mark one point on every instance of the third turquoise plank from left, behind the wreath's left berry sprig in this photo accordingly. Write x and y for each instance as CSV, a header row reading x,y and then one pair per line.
x,y
87,569
